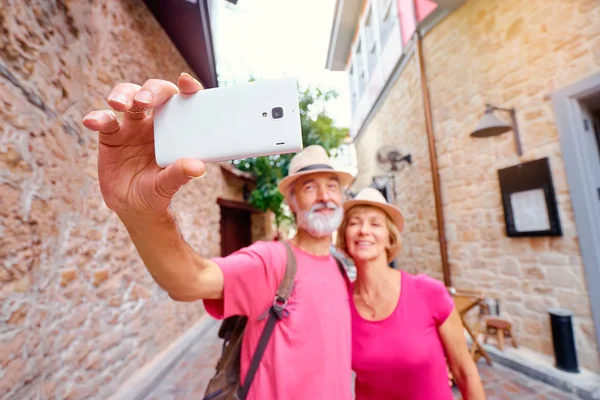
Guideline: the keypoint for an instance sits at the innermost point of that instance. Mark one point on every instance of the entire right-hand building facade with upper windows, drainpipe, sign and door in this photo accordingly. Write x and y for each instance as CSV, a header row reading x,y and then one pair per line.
x,y
521,223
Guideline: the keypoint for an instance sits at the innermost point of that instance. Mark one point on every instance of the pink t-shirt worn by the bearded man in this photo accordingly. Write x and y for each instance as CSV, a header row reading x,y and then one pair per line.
x,y
309,353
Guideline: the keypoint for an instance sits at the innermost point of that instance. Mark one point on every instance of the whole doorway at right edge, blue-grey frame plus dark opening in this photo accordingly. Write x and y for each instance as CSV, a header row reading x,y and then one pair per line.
x,y
577,110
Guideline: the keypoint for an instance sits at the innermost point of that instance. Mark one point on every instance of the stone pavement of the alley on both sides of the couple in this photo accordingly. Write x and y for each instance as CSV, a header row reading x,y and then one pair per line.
x,y
187,379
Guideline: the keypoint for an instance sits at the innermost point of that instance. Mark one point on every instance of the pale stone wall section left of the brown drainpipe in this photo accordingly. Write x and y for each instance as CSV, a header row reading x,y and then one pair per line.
x,y
400,123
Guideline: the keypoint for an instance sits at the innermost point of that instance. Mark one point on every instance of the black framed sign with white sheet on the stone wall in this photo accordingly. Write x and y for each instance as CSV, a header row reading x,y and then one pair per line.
x,y
529,200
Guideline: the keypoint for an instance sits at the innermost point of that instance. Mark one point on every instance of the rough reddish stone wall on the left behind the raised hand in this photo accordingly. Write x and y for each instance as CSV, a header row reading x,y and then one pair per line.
x,y
78,311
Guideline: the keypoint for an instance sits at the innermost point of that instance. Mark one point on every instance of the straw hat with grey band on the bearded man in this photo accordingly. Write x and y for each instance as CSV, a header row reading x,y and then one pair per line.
x,y
312,159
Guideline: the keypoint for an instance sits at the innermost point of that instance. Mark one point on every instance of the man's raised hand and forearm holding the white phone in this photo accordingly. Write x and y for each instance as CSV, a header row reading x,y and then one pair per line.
x,y
140,192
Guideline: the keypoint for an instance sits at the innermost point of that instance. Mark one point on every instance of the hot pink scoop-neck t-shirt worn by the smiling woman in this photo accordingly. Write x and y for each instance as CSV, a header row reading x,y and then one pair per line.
x,y
402,357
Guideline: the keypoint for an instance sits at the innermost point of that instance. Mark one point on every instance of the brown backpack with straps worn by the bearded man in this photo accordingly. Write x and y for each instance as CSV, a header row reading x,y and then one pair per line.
x,y
225,384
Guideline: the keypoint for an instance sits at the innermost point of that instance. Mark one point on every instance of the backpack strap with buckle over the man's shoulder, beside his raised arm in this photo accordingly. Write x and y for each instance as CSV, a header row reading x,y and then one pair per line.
x,y
275,313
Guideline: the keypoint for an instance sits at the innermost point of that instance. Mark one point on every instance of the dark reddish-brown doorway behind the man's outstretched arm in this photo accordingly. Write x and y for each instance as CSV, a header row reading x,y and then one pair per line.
x,y
236,225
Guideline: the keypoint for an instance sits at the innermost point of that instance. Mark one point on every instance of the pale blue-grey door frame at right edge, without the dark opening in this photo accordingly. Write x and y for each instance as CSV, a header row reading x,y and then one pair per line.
x,y
569,120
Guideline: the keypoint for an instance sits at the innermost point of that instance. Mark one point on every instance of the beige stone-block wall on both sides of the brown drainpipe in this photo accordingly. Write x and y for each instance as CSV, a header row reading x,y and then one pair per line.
x,y
509,53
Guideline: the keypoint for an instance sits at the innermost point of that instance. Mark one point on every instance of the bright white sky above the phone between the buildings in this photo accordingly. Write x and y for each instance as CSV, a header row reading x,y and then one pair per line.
x,y
269,39
